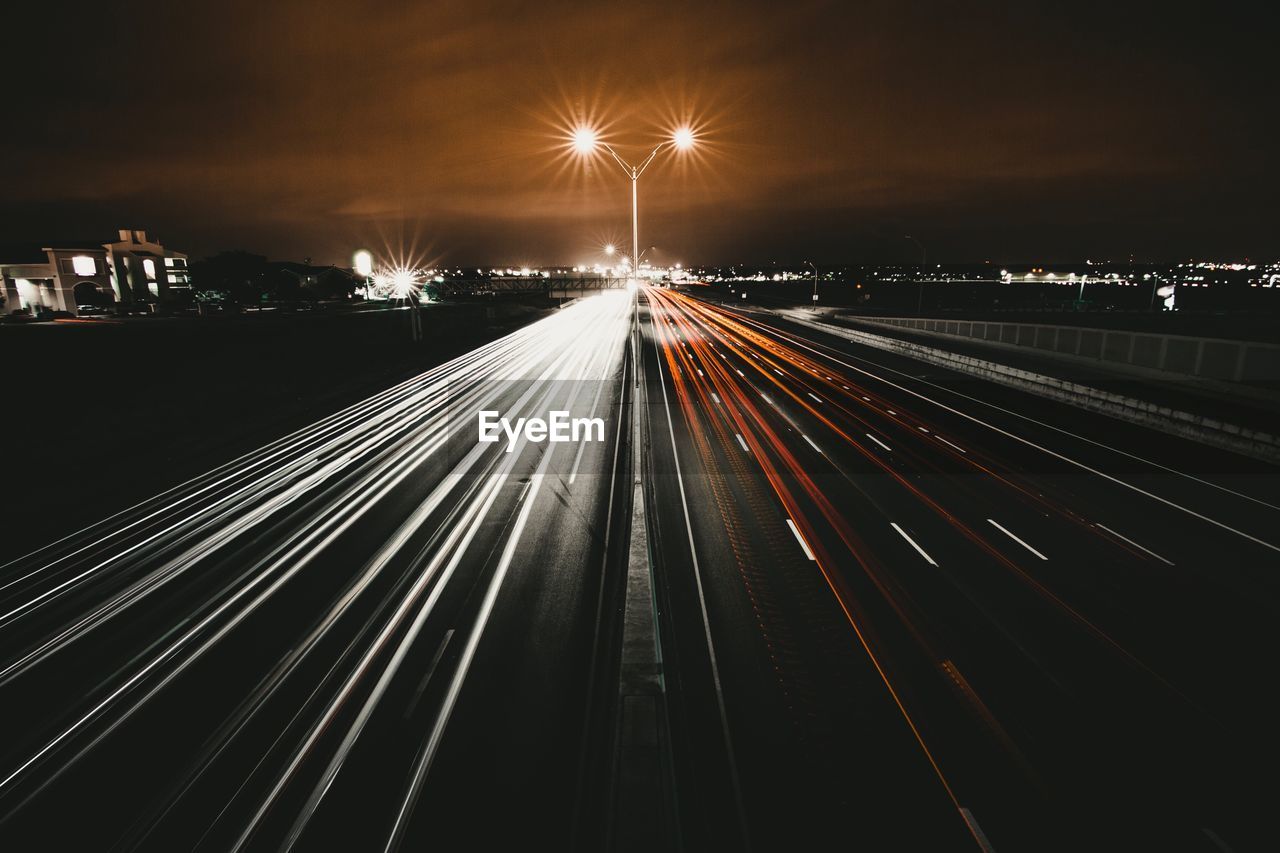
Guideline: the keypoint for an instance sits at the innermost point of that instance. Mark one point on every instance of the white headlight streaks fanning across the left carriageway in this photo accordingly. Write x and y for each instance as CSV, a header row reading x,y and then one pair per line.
x,y
314,487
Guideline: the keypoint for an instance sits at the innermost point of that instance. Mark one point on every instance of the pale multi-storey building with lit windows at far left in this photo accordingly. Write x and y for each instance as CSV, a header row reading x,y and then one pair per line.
x,y
88,277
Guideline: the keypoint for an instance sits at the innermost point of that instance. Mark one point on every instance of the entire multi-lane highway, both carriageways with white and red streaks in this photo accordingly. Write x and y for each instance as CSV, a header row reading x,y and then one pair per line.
x,y
897,610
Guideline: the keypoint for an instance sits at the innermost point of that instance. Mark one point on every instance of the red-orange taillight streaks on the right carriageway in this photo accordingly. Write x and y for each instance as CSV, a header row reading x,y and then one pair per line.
x,y
756,362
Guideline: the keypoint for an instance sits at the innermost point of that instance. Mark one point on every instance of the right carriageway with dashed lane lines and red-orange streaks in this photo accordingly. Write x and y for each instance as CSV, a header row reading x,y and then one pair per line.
x,y
947,614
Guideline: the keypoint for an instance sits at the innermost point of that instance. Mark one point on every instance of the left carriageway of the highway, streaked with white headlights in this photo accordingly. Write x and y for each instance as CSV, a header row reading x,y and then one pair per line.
x,y
373,632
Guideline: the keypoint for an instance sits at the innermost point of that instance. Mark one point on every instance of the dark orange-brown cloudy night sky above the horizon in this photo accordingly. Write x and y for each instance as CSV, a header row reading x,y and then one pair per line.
x,y
1004,131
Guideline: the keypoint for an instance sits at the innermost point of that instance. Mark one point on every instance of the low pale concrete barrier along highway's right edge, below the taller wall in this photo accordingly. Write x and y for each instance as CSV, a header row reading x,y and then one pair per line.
x,y
1174,422
